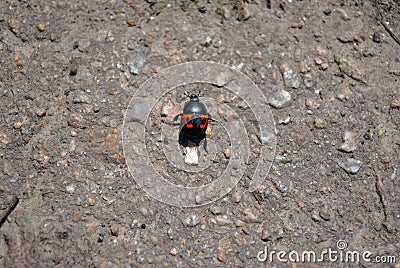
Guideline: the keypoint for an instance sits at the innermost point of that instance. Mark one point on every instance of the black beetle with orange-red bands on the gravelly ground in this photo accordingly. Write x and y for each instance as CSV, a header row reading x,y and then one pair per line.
x,y
194,122
